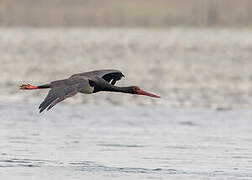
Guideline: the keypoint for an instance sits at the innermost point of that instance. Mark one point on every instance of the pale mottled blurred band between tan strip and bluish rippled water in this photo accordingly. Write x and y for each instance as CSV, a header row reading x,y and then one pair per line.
x,y
189,68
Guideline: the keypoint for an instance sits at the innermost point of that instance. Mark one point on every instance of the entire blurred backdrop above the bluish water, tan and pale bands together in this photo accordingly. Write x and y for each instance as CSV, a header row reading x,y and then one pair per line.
x,y
194,53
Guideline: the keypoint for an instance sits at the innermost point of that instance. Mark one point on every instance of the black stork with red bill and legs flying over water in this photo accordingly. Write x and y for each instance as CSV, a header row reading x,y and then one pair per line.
x,y
87,83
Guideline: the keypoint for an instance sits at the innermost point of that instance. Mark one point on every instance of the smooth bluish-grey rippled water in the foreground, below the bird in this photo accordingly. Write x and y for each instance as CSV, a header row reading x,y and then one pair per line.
x,y
124,143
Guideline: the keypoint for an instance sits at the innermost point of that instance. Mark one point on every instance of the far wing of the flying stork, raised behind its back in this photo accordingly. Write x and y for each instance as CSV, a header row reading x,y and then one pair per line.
x,y
110,75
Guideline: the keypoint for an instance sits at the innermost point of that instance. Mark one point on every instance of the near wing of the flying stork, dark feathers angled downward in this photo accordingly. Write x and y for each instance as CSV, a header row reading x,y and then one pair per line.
x,y
61,90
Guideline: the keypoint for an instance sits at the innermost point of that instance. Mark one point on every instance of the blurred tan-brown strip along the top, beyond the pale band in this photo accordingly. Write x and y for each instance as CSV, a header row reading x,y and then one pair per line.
x,y
126,13
